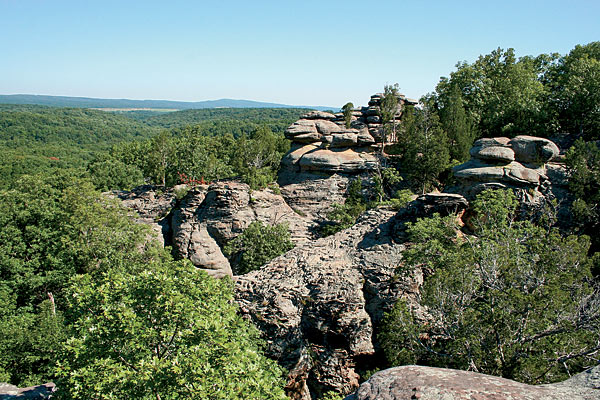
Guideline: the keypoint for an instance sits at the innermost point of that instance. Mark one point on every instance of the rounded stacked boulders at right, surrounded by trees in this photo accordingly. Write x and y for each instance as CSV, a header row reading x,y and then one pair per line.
x,y
521,162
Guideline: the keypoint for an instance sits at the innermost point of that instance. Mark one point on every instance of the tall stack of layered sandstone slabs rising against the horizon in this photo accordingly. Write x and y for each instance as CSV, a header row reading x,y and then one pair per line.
x,y
322,142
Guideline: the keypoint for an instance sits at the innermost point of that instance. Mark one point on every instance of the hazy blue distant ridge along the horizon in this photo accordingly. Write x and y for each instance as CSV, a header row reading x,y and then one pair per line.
x,y
87,102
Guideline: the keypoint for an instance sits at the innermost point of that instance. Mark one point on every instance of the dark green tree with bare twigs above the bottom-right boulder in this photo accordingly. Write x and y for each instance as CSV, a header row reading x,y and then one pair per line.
x,y
516,300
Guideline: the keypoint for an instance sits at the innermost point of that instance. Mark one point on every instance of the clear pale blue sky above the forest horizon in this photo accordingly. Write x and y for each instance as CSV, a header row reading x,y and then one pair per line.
x,y
294,52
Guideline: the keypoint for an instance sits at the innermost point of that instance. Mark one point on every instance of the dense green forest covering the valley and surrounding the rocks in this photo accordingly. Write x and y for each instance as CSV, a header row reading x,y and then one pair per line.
x,y
87,301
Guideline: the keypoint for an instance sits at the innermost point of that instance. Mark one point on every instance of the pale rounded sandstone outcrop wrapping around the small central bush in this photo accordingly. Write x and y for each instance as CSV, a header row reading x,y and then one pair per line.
x,y
199,225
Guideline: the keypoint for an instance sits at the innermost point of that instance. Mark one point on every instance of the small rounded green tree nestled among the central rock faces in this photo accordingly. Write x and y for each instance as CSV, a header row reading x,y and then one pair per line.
x,y
257,245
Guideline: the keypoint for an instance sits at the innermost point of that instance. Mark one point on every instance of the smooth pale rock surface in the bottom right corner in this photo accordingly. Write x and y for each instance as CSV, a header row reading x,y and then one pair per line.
x,y
427,383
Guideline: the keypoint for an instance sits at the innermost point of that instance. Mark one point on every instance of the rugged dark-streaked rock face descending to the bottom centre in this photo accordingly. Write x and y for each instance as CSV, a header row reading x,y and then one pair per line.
x,y
318,304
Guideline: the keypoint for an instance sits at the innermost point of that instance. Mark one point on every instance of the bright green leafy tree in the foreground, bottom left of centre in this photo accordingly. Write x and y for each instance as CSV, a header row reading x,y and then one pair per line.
x,y
162,330
